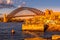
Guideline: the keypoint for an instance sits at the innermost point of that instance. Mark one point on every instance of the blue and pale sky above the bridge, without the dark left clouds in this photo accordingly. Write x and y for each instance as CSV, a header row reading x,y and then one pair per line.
x,y
39,4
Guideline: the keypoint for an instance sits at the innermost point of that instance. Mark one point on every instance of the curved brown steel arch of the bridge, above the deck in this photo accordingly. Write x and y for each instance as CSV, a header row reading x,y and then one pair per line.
x,y
34,10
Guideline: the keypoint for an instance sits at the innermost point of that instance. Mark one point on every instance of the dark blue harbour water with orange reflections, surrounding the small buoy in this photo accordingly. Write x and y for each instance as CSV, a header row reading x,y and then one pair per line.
x,y
5,32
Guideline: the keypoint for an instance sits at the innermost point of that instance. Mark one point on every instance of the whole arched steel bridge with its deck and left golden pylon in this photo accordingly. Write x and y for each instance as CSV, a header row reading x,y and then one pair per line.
x,y
14,12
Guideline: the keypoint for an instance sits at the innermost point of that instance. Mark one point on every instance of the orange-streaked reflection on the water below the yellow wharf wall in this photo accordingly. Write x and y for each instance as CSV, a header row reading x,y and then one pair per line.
x,y
28,35
